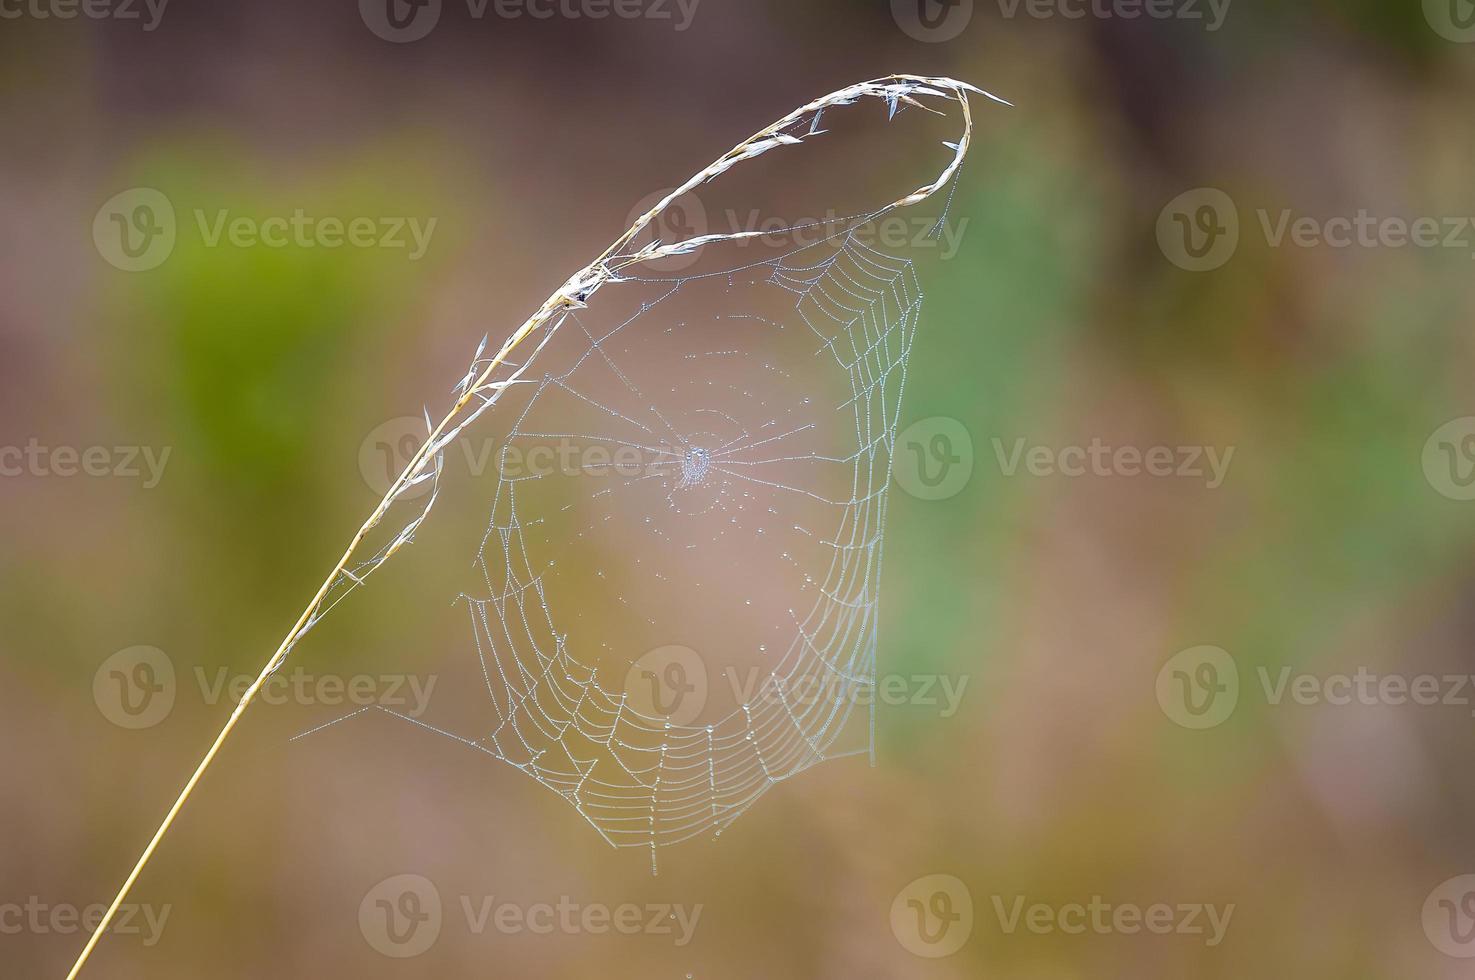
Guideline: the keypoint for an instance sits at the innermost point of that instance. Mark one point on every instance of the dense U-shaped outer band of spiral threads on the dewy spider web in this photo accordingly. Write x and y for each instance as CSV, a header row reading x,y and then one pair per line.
x,y
660,783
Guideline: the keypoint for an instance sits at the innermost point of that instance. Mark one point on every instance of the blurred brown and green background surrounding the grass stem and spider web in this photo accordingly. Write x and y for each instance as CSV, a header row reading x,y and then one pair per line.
x,y
1241,230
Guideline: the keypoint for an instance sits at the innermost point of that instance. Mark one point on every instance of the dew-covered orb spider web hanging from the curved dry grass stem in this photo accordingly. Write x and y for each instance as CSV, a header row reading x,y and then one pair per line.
x,y
725,461
